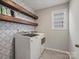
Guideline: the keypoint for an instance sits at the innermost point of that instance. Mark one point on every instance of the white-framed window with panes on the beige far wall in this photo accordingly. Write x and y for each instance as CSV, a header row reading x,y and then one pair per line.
x,y
60,19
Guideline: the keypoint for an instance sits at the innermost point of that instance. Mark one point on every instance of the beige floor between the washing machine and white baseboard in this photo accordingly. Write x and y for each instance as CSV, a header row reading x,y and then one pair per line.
x,y
47,54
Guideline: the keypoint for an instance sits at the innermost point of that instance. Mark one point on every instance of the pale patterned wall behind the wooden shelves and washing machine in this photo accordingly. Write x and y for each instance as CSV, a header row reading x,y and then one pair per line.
x,y
7,30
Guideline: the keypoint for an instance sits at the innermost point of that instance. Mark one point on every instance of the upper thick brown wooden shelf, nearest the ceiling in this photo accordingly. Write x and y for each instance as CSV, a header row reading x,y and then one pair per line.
x,y
17,7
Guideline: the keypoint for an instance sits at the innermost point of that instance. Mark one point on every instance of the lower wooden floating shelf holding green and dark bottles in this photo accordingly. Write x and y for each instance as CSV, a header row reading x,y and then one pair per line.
x,y
16,20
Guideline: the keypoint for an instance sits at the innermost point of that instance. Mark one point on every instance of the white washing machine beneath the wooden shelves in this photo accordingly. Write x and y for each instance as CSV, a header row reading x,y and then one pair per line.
x,y
29,46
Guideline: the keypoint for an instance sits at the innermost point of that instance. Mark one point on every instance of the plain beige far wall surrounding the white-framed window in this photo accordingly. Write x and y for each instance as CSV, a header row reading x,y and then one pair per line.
x,y
55,39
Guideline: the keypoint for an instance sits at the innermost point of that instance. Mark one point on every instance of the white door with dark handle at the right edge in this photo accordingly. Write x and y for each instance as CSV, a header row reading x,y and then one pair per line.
x,y
74,27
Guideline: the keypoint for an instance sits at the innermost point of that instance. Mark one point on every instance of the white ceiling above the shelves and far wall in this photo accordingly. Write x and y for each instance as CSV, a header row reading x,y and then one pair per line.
x,y
40,4
